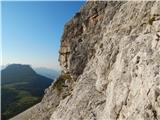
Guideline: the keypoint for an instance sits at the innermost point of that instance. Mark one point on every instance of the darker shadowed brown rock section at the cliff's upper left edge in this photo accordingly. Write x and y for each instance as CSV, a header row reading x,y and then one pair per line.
x,y
80,36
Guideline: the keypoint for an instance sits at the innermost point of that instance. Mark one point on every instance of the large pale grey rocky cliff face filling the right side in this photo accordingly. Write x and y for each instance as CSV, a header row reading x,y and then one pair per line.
x,y
110,54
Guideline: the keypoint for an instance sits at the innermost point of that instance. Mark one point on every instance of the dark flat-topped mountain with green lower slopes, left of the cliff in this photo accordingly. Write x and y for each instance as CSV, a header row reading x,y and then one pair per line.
x,y
22,87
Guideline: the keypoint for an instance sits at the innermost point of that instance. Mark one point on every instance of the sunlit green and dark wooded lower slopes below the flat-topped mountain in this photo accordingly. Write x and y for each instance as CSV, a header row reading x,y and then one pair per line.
x,y
15,101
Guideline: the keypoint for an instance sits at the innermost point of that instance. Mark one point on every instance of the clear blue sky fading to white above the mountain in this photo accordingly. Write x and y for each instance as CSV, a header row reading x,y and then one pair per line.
x,y
31,31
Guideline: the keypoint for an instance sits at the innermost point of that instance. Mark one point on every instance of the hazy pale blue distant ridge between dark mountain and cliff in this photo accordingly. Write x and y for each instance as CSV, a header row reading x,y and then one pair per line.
x,y
50,73
